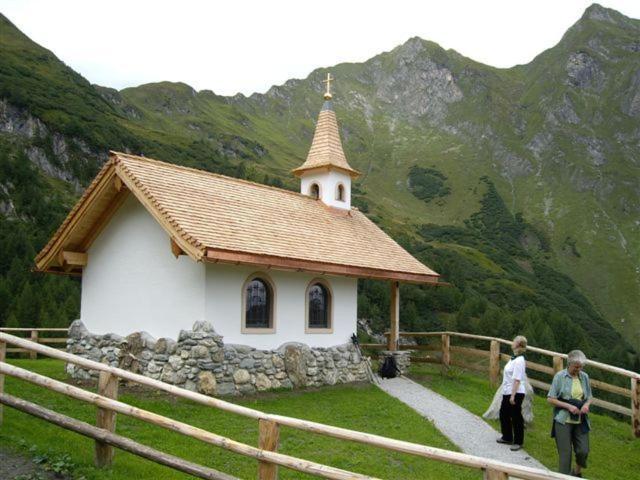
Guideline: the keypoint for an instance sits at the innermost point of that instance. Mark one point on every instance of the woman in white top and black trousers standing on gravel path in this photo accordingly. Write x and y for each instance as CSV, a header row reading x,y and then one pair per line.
x,y
513,392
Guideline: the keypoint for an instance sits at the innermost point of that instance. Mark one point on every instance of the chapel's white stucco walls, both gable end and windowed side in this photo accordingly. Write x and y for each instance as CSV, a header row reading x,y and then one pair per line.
x,y
132,282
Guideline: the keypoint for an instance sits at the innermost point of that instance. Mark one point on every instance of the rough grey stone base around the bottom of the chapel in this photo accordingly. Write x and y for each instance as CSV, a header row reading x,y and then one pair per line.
x,y
200,361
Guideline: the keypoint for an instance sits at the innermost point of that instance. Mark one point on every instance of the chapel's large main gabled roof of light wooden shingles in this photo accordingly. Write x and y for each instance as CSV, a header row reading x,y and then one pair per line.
x,y
215,218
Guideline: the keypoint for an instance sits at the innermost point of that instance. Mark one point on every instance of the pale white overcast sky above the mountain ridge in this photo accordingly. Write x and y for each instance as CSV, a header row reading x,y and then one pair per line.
x,y
247,46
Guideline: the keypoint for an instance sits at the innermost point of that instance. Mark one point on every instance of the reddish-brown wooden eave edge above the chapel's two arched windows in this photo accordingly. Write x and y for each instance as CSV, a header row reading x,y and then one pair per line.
x,y
214,255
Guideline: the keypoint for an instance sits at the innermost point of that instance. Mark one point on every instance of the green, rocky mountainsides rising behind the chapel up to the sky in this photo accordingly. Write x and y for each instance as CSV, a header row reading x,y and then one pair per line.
x,y
556,137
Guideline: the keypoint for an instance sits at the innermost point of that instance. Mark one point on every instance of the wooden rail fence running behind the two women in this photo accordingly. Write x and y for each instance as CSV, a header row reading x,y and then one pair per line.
x,y
448,354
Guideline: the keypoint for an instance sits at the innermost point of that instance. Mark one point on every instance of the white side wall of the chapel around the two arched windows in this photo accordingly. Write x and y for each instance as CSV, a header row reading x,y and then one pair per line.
x,y
223,307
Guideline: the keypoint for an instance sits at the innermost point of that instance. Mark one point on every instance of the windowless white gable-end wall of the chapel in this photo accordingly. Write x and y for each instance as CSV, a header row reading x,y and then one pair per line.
x,y
132,282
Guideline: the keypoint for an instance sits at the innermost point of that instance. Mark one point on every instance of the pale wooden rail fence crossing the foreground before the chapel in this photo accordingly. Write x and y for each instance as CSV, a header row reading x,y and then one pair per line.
x,y
269,425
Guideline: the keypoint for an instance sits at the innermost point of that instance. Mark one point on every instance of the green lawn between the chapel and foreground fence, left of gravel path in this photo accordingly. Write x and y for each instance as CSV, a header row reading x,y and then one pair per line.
x,y
359,407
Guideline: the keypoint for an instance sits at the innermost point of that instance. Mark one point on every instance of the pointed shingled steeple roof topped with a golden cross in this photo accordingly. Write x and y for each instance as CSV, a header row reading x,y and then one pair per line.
x,y
326,148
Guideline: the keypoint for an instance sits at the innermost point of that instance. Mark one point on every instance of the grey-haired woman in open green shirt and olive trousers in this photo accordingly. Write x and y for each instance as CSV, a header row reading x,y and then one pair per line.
x,y
570,394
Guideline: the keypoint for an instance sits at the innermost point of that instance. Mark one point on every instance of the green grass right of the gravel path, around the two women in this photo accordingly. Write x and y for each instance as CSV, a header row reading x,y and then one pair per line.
x,y
614,453
